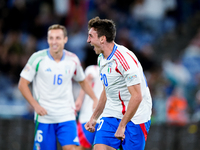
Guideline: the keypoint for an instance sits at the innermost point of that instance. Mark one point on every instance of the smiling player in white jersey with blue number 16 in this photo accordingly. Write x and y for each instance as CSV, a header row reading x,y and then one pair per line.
x,y
51,71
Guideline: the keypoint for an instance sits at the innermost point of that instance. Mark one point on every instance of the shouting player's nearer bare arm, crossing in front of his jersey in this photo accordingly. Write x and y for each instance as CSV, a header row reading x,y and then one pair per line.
x,y
135,100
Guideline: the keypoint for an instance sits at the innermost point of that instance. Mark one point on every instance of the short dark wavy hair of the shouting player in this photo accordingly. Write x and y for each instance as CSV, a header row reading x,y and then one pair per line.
x,y
104,27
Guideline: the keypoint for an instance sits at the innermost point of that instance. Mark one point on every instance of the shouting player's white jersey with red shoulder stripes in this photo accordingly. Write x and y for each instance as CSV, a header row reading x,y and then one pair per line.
x,y
120,70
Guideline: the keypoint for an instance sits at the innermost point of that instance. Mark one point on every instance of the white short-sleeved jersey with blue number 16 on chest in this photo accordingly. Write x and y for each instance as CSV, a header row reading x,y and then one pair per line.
x,y
52,84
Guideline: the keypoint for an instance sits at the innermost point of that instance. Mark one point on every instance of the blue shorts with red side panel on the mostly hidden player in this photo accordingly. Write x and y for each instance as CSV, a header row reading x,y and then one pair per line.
x,y
86,138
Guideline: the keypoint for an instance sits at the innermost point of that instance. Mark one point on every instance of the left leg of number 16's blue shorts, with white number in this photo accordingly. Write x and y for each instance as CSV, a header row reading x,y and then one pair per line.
x,y
45,137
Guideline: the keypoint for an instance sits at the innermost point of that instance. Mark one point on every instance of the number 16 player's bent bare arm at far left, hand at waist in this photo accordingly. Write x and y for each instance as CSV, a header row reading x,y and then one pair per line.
x,y
24,89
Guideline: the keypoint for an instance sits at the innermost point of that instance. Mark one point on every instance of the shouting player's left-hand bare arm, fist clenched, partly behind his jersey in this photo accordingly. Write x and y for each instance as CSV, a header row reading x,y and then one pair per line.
x,y
90,126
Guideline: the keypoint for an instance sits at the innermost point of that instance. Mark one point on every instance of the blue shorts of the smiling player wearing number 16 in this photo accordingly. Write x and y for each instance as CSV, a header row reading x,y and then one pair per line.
x,y
47,135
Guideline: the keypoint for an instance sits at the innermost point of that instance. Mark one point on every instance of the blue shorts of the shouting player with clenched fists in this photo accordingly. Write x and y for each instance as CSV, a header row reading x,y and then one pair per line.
x,y
135,135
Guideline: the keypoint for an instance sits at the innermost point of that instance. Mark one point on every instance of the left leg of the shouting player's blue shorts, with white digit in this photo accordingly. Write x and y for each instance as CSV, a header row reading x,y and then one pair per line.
x,y
106,131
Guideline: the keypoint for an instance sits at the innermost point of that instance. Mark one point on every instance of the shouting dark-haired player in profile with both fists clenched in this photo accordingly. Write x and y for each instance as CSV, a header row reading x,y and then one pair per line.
x,y
125,100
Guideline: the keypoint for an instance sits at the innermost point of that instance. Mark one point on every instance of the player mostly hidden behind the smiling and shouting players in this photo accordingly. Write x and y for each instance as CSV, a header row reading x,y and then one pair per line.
x,y
85,104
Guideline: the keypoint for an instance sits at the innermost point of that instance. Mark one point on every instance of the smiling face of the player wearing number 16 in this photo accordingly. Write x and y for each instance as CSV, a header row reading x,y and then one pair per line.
x,y
56,40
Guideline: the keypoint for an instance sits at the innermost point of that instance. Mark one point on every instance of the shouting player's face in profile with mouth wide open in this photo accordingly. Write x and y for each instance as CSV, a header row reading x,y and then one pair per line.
x,y
94,40
